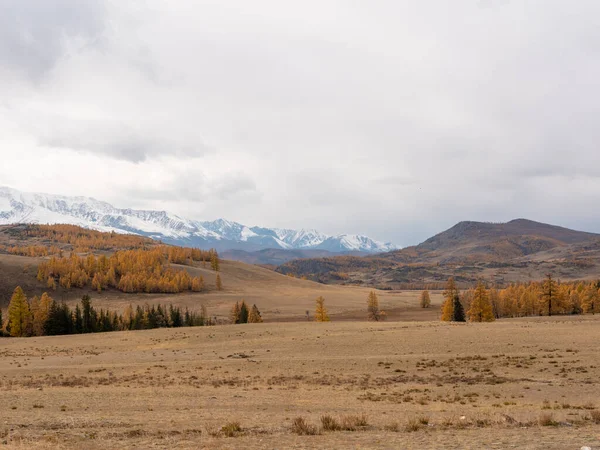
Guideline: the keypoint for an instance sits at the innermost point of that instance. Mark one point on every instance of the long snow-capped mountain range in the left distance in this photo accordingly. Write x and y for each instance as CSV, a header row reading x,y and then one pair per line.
x,y
25,207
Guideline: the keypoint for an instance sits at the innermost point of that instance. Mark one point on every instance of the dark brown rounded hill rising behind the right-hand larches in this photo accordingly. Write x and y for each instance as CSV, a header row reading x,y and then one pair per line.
x,y
518,250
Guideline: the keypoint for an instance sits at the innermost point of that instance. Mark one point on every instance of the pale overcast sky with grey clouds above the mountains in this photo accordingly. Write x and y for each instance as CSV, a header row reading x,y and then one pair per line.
x,y
394,119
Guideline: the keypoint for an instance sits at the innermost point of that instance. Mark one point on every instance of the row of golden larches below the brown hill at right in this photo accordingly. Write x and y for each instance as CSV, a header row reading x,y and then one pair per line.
x,y
548,297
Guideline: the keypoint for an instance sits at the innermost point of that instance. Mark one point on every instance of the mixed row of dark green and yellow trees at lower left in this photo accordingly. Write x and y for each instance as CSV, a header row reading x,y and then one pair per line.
x,y
45,317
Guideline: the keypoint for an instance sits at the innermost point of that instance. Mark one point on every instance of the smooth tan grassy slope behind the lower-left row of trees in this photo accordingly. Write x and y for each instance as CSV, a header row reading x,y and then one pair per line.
x,y
278,297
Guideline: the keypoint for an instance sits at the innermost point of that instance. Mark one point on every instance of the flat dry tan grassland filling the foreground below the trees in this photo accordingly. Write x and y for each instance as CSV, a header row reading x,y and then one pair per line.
x,y
523,383
